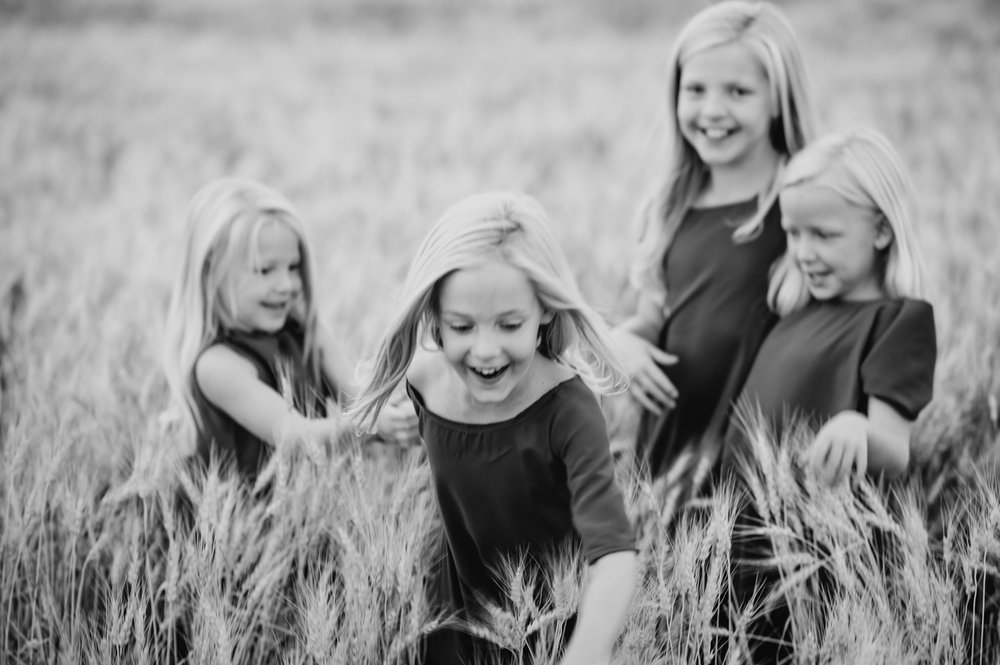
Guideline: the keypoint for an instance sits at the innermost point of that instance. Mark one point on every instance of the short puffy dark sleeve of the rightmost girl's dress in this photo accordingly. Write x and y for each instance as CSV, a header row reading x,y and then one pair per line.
x,y
899,367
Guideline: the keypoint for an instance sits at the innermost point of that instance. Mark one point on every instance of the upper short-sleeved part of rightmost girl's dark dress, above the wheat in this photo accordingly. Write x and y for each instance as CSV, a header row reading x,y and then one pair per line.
x,y
832,356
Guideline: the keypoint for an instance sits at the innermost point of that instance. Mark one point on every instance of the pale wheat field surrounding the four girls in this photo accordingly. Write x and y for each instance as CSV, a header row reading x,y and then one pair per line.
x,y
373,117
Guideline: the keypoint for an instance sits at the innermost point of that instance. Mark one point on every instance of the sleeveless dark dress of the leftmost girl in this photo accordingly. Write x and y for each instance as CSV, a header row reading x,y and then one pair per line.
x,y
280,364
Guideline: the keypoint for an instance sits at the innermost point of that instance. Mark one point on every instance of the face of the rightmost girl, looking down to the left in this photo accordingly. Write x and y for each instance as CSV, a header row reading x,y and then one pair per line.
x,y
836,245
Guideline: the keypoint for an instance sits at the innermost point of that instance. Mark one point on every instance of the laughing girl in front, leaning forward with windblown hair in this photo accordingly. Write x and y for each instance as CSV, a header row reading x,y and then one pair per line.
x,y
516,442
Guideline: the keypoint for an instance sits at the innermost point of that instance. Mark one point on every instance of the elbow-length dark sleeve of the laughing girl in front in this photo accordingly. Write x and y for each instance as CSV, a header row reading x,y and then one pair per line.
x,y
580,439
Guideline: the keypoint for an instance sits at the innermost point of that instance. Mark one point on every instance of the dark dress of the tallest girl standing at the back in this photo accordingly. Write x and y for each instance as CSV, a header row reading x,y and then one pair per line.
x,y
716,295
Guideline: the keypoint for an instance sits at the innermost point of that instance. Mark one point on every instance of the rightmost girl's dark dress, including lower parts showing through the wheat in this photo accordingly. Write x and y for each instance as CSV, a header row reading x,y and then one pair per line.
x,y
826,358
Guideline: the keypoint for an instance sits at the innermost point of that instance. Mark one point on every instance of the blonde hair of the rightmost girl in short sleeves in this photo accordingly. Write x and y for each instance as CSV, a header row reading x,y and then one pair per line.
x,y
862,167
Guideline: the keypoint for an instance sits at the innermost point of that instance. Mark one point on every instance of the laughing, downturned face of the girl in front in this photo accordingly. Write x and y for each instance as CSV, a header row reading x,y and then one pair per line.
x,y
489,317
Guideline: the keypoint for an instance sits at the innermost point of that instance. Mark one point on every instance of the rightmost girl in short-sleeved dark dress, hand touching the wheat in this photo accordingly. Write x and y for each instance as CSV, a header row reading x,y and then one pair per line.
x,y
855,348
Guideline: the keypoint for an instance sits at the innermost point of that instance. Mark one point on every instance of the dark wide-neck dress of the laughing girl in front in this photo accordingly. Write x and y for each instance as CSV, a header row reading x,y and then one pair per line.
x,y
525,485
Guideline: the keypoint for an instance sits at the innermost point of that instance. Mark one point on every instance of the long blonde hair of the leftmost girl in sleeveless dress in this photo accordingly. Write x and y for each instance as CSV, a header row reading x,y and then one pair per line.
x,y
224,222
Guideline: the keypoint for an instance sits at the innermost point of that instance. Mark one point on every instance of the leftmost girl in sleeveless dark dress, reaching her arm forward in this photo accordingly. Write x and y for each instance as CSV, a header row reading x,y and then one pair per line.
x,y
244,353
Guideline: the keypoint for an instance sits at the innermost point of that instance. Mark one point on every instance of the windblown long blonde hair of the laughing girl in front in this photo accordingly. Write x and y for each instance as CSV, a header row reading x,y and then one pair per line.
x,y
482,227
